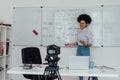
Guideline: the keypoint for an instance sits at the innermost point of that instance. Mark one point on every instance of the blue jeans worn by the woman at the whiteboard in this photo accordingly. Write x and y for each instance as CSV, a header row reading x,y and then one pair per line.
x,y
82,51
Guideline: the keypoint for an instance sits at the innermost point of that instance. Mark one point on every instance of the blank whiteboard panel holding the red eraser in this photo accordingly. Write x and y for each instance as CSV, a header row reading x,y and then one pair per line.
x,y
27,19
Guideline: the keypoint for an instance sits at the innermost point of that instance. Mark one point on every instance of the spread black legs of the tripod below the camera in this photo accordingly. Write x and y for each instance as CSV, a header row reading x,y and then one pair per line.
x,y
52,73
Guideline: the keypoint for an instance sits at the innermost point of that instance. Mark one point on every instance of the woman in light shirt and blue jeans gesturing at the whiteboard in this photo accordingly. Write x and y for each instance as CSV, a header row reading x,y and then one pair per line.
x,y
84,37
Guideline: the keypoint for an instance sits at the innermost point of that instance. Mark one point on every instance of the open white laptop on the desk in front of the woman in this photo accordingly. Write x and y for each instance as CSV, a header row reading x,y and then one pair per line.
x,y
78,62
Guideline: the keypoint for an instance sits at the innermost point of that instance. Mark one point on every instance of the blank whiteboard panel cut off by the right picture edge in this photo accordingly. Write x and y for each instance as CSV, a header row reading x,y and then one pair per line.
x,y
111,28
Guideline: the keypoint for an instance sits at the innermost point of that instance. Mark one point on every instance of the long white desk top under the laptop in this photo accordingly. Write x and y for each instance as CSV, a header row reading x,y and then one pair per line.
x,y
65,72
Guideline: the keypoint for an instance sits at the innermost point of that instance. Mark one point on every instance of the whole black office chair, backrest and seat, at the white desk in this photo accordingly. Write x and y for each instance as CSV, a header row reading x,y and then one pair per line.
x,y
31,55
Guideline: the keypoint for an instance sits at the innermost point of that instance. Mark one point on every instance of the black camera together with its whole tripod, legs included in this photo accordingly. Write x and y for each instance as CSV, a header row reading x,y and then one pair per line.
x,y
51,71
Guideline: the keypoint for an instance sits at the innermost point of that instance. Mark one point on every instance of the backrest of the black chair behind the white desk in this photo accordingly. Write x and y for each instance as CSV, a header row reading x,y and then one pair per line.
x,y
31,55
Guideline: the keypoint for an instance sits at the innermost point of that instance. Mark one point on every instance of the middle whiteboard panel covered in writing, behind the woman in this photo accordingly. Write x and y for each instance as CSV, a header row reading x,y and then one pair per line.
x,y
60,26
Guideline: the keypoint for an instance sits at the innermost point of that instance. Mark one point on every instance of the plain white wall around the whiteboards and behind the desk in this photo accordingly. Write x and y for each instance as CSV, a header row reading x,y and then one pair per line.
x,y
102,56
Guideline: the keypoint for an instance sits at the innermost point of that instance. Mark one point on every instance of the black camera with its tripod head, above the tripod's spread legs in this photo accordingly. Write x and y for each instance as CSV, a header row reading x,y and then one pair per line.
x,y
52,55
